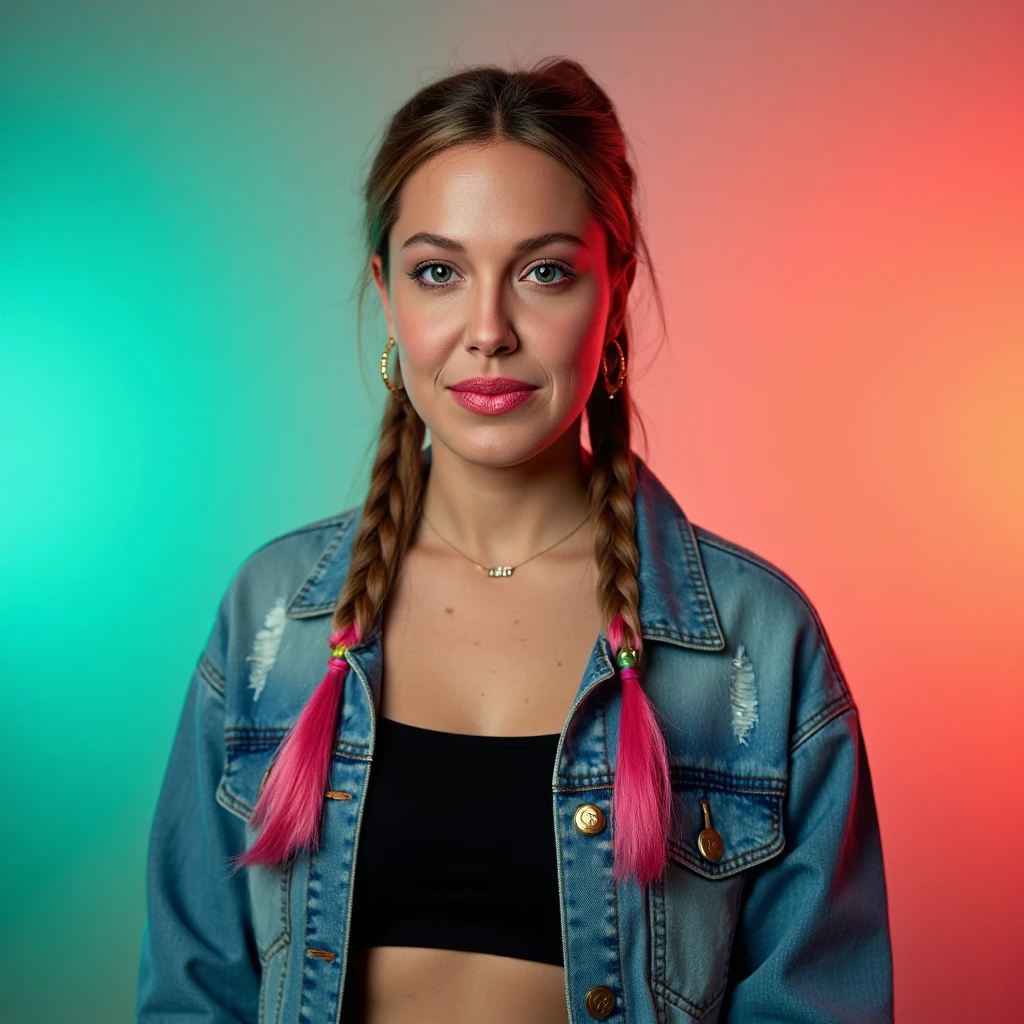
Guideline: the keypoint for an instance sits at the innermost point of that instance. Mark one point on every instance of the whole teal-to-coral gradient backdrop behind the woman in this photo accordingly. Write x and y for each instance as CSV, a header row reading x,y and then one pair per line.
x,y
835,200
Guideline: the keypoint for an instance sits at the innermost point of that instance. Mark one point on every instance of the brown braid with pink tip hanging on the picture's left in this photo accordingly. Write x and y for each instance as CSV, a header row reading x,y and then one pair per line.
x,y
291,800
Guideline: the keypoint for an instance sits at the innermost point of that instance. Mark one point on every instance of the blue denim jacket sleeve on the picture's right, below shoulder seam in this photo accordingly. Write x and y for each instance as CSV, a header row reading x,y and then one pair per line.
x,y
814,942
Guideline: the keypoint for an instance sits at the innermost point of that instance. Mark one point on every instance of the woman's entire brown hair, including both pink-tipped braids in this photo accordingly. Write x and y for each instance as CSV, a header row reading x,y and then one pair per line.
x,y
559,109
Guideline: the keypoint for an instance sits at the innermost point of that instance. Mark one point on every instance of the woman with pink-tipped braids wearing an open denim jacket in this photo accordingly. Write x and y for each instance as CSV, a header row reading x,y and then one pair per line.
x,y
598,762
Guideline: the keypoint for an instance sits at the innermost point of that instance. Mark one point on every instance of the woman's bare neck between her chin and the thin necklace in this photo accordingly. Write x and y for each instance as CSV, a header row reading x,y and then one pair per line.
x,y
503,515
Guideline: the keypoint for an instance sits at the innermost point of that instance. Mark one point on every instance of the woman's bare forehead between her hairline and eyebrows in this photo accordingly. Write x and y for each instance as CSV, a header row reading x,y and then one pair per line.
x,y
500,192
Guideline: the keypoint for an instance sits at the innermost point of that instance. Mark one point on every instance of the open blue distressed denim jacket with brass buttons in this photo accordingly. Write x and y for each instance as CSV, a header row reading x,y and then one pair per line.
x,y
789,923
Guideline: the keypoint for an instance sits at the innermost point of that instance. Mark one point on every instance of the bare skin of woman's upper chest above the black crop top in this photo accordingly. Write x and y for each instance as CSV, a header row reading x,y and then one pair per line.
x,y
466,653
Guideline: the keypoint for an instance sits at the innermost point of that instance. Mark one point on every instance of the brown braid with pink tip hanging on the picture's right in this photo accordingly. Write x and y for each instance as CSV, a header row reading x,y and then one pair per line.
x,y
643,790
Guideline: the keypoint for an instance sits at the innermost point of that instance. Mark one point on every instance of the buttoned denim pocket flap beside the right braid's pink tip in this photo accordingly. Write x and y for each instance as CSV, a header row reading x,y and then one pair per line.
x,y
747,814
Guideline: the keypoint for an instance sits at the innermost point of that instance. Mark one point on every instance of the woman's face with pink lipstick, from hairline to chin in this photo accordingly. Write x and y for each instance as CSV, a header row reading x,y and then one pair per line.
x,y
498,270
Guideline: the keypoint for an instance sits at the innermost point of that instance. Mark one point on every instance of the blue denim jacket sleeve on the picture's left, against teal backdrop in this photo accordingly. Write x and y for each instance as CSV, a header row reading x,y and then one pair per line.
x,y
199,963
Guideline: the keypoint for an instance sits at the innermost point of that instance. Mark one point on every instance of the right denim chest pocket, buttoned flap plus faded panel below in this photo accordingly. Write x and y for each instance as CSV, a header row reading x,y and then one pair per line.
x,y
696,905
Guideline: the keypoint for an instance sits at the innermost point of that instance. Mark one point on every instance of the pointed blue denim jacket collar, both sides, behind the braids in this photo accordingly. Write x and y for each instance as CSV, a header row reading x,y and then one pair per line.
x,y
676,604
